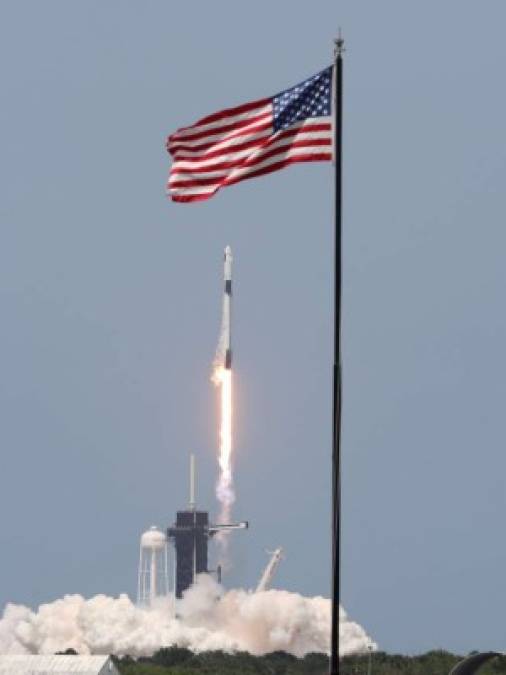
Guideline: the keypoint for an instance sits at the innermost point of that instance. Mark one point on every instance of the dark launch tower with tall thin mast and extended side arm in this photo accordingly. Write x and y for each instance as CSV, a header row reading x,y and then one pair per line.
x,y
191,534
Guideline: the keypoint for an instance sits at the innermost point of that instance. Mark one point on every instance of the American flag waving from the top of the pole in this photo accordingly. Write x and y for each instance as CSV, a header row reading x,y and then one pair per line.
x,y
252,139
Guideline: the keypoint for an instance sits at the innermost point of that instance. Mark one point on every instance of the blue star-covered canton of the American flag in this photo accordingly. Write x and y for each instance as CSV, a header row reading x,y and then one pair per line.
x,y
311,98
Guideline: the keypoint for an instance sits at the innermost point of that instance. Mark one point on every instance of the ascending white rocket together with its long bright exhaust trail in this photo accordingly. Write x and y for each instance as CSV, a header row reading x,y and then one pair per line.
x,y
222,378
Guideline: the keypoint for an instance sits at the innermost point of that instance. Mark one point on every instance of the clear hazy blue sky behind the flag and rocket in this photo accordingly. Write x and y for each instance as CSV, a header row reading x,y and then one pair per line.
x,y
110,303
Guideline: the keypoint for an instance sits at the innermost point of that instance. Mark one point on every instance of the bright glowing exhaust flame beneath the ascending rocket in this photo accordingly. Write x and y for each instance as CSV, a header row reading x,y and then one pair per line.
x,y
222,377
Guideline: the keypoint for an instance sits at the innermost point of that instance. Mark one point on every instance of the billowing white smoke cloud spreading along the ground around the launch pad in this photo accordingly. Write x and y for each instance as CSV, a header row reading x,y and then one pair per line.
x,y
208,618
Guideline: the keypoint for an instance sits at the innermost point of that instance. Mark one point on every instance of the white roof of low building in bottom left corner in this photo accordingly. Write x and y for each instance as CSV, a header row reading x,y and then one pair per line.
x,y
61,664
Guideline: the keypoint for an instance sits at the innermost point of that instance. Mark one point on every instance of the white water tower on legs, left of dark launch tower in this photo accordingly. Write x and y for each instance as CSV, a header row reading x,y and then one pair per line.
x,y
153,579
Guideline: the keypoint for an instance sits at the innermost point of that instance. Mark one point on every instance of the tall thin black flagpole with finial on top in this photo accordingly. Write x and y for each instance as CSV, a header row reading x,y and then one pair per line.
x,y
336,403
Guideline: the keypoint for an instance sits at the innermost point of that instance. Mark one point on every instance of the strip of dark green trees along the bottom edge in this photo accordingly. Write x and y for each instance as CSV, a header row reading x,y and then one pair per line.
x,y
180,661
